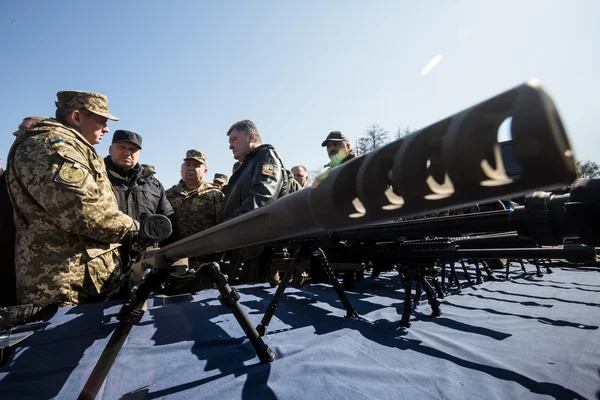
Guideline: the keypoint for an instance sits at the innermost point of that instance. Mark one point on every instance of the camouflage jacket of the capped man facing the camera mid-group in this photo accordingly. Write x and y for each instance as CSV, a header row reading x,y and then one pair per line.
x,y
195,210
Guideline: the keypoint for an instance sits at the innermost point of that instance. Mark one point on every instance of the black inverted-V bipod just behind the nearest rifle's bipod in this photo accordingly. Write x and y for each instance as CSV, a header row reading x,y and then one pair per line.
x,y
304,252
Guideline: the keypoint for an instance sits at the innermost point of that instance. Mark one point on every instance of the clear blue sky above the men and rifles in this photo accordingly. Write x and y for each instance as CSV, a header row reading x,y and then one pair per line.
x,y
181,72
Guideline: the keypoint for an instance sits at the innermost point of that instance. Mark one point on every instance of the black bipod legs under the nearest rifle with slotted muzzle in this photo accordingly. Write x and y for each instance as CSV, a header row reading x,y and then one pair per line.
x,y
132,312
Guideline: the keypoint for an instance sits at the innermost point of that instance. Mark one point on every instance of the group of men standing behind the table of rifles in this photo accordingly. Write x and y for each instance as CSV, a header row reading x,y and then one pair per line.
x,y
69,214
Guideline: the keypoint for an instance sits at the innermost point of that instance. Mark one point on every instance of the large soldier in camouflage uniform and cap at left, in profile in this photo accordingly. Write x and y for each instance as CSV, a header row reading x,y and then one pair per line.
x,y
68,224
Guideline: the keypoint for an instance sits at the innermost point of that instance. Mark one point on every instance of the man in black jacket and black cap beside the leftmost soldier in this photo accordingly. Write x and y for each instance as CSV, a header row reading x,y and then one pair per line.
x,y
137,190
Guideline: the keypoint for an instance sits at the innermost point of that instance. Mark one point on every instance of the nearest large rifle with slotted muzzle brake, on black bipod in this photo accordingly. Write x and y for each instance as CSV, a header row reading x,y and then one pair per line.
x,y
453,163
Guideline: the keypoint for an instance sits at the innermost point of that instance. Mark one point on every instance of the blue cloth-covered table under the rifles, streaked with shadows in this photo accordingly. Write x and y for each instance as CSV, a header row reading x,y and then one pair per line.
x,y
527,338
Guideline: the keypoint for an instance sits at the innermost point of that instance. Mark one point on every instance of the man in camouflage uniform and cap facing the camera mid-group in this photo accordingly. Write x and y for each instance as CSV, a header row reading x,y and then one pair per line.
x,y
197,203
